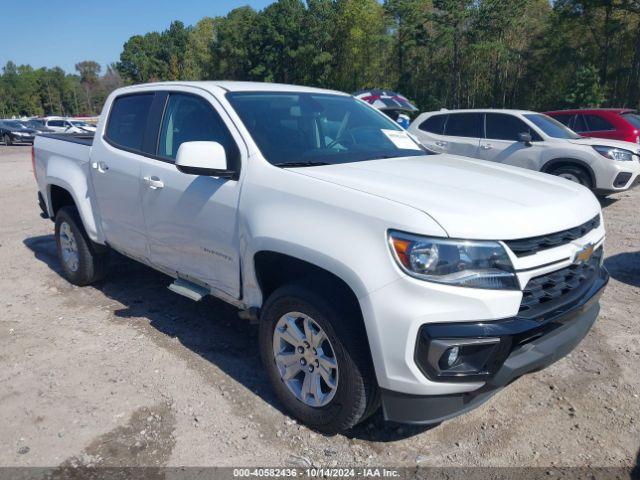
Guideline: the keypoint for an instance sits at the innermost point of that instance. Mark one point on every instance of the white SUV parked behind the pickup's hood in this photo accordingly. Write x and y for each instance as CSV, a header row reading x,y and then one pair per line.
x,y
531,140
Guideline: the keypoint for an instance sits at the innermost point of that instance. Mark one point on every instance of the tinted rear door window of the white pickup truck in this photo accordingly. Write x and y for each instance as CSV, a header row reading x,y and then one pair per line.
x,y
128,121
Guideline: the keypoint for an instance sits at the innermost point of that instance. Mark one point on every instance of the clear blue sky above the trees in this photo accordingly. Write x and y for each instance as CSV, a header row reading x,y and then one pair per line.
x,y
49,33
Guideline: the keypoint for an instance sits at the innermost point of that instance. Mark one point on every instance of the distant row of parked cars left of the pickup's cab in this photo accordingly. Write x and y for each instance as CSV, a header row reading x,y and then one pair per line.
x,y
24,131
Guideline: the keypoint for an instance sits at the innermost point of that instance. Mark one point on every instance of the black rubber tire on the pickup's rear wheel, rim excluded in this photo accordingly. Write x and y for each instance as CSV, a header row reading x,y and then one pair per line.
x,y
92,259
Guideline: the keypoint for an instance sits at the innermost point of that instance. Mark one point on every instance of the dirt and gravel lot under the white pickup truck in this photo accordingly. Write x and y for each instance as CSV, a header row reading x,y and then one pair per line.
x,y
128,373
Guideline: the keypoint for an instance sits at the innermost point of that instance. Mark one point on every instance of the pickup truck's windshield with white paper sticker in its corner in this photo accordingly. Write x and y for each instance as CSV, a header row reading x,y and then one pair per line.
x,y
309,128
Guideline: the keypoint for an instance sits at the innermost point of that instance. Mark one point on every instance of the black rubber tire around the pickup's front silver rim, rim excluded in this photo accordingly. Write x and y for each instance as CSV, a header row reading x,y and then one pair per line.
x,y
357,395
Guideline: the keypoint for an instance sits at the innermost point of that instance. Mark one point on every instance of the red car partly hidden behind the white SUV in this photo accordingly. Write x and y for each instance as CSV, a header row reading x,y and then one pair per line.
x,y
614,123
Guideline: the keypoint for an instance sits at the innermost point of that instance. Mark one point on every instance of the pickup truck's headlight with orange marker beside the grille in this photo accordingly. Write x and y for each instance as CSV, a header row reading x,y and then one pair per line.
x,y
474,264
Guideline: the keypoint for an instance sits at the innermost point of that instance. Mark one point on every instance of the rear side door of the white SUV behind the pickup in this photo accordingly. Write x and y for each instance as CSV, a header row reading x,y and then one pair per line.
x,y
462,133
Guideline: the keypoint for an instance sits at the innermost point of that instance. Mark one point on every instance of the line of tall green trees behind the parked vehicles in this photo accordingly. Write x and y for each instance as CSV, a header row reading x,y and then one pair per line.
x,y
533,54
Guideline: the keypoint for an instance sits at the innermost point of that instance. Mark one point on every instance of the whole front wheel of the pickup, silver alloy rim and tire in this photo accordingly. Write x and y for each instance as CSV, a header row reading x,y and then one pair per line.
x,y
323,378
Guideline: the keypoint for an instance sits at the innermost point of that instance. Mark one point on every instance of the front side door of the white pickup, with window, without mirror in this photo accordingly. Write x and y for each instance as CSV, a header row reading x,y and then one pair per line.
x,y
192,220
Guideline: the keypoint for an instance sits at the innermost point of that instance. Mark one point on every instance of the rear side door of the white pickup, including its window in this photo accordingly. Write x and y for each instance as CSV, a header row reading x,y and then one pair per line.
x,y
116,161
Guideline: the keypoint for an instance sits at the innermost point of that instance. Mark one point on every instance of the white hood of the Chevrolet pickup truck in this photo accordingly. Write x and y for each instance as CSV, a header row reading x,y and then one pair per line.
x,y
470,199
